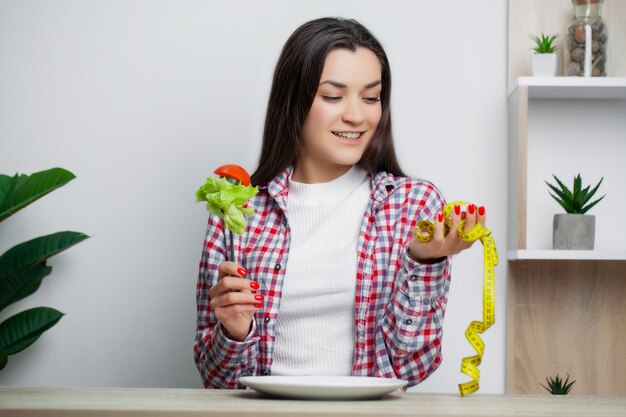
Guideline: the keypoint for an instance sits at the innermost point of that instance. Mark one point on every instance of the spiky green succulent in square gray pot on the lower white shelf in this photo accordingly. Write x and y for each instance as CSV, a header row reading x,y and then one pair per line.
x,y
575,229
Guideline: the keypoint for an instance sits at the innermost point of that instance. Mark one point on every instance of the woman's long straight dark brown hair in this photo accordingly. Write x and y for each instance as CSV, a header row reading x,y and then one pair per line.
x,y
295,84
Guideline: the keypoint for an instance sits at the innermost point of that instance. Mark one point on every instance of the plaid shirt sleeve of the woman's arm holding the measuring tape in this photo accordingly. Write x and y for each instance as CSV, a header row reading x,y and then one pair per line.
x,y
412,323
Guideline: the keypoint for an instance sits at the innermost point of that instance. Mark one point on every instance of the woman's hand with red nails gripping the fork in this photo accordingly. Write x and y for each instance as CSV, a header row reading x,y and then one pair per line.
x,y
233,300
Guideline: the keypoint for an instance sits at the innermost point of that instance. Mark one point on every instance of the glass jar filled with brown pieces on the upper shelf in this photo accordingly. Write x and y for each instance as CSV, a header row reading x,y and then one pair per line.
x,y
587,40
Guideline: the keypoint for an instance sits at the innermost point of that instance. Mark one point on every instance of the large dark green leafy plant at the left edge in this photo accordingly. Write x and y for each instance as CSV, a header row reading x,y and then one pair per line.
x,y
24,266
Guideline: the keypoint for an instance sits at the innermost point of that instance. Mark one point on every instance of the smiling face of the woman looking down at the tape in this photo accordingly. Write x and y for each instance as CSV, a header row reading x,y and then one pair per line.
x,y
343,117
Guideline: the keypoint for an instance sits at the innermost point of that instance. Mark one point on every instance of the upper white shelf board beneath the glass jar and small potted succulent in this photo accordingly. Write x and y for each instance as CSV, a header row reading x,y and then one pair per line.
x,y
573,87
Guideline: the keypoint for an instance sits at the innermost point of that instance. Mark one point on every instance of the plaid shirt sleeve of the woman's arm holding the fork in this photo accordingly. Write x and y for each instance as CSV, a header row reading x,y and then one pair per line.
x,y
220,360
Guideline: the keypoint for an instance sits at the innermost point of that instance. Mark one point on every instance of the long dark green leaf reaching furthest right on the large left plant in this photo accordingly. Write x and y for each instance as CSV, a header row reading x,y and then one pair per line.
x,y
37,250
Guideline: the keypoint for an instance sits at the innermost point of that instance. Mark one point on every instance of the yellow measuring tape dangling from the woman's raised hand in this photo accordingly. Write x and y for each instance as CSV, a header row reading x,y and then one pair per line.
x,y
424,233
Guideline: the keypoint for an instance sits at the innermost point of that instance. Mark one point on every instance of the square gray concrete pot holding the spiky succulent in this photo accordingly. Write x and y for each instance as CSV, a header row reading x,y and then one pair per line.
x,y
573,231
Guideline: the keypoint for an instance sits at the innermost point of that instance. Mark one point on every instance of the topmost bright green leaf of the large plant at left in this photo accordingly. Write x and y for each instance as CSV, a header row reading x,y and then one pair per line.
x,y
21,190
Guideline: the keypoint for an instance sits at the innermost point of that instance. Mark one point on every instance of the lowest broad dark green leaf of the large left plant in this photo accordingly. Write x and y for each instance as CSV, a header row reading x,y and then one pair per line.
x,y
21,330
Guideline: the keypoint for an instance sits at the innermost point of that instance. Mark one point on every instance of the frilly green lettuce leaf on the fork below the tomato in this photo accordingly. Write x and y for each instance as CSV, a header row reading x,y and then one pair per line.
x,y
227,201
